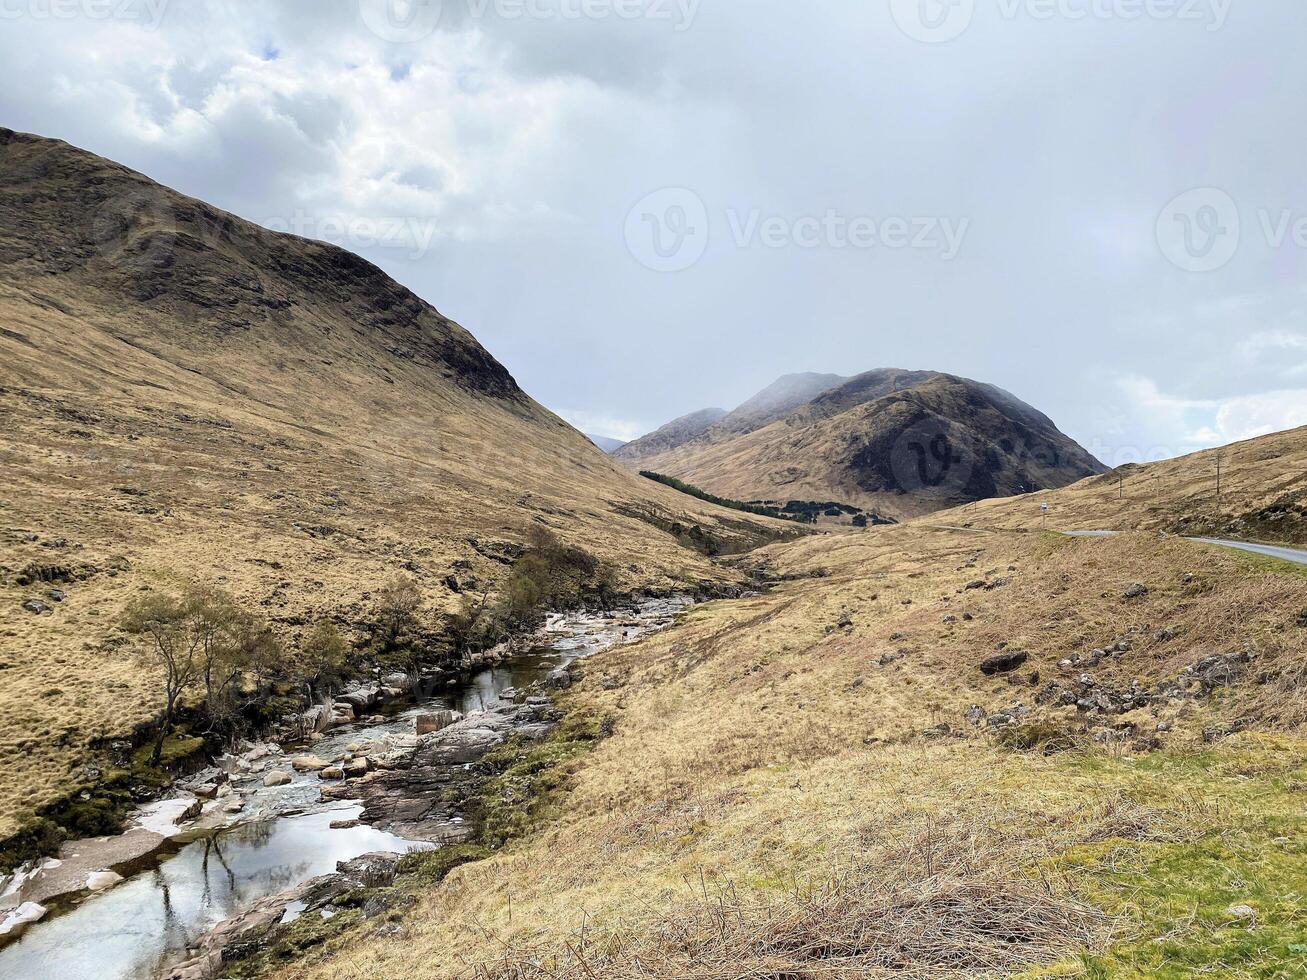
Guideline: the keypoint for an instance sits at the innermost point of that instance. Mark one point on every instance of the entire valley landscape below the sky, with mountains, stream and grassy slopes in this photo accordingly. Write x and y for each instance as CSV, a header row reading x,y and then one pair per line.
x,y
432,687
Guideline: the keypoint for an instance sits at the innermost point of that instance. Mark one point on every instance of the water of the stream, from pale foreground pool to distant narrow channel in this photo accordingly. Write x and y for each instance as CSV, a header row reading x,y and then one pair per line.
x,y
222,864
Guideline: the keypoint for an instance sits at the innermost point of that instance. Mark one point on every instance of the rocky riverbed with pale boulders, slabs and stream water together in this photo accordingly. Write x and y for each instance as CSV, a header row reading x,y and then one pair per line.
x,y
279,828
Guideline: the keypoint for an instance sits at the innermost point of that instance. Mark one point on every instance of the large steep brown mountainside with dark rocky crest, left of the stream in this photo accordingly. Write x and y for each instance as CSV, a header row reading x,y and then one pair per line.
x,y
188,395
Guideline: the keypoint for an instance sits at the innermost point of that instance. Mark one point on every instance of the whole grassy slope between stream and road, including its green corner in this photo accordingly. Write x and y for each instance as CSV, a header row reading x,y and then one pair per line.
x,y
808,783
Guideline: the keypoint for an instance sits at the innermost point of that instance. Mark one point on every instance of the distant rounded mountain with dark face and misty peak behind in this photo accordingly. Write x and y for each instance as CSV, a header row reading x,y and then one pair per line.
x,y
901,444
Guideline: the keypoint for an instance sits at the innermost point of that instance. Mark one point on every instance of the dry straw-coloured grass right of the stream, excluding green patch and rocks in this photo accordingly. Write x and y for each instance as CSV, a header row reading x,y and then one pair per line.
x,y
768,807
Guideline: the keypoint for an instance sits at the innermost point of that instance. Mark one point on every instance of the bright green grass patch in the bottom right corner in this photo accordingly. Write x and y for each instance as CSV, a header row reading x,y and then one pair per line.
x,y
1174,898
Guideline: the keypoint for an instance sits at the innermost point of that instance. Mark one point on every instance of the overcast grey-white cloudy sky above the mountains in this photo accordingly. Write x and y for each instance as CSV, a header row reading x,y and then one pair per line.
x,y
652,207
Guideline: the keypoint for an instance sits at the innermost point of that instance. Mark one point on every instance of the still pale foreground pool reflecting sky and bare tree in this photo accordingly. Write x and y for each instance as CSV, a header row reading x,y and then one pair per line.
x,y
129,932
